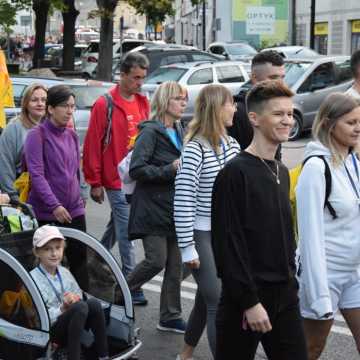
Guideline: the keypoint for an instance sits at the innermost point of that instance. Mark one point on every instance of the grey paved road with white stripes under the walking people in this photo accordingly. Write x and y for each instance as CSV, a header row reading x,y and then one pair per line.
x,y
165,346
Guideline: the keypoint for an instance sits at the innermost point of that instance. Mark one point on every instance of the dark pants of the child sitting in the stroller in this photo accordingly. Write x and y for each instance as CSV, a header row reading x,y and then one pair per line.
x,y
70,324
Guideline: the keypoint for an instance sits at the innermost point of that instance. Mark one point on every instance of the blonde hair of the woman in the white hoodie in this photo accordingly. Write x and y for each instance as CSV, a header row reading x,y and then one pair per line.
x,y
331,110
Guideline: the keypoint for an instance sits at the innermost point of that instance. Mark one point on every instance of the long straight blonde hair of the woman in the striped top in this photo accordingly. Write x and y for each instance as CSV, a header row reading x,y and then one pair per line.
x,y
208,120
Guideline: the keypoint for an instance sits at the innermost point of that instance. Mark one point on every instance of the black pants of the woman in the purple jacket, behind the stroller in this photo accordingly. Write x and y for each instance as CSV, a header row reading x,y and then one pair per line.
x,y
75,251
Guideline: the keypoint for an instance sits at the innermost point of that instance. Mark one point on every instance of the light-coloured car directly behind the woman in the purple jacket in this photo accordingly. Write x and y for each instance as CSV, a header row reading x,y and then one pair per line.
x,y
86,93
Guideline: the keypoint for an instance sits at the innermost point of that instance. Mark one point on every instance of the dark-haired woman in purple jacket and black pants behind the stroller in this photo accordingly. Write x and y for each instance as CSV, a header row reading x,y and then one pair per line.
x,y
52,157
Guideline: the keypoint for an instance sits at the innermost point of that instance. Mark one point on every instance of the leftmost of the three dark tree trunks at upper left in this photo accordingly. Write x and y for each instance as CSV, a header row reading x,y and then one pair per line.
x,y
41,10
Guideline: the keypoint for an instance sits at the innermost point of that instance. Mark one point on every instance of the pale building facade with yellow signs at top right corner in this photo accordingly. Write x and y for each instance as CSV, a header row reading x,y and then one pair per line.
x,y
337,26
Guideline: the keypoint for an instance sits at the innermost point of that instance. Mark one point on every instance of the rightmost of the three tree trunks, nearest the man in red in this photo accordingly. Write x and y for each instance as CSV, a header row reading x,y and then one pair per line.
x,y
104,69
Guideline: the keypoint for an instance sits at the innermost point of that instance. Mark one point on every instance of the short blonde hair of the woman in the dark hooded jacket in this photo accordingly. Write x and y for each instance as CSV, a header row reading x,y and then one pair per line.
x,y
160,100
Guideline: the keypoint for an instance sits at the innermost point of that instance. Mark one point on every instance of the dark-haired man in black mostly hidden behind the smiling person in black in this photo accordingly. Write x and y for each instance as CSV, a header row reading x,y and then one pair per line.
x,y
266,65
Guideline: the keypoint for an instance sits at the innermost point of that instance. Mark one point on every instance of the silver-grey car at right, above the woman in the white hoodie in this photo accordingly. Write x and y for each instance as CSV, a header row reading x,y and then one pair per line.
x,y
311,80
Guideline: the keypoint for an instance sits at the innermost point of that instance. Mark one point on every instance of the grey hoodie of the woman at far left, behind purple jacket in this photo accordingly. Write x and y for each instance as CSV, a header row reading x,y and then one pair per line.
x,y
11,146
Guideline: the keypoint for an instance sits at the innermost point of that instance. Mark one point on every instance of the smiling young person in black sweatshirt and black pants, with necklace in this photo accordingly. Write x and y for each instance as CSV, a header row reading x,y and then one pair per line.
x,y
253,241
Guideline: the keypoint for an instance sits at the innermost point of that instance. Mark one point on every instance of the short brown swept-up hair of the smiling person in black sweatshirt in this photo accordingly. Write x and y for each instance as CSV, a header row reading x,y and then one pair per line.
x,y
264,91
